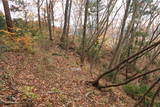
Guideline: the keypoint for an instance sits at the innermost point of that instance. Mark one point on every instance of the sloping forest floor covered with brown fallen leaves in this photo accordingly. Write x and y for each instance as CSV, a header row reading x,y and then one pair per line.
x,y
52,77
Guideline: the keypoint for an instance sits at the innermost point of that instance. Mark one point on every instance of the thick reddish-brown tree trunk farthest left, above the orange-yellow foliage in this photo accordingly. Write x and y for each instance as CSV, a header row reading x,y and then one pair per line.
x,y
7,16
